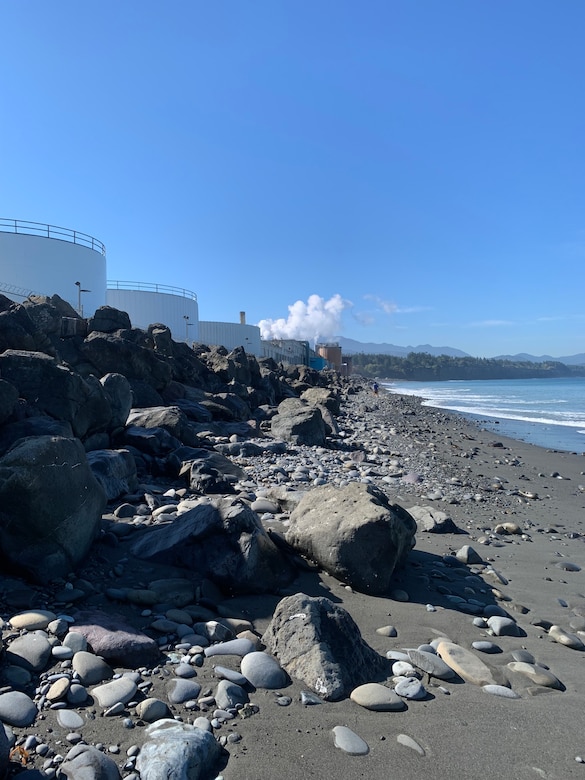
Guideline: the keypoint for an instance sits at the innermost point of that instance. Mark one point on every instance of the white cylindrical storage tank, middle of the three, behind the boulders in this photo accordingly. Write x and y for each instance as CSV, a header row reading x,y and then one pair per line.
x,y
149,303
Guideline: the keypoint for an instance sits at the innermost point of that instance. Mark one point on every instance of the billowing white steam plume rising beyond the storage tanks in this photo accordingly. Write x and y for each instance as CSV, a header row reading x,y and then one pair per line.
x,y
315,320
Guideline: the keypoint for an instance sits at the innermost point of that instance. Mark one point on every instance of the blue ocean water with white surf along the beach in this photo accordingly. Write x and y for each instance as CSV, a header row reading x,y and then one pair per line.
x,y
547,412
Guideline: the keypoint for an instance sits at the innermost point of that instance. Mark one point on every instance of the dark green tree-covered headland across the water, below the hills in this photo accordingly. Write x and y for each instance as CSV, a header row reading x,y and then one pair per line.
x,y
423,367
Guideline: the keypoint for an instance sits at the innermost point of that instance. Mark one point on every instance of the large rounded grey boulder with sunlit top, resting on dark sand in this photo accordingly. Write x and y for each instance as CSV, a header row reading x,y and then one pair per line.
x,y
354,533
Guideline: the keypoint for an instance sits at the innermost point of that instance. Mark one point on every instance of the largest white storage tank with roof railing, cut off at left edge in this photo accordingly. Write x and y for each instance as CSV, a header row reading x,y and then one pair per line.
x,y
48,260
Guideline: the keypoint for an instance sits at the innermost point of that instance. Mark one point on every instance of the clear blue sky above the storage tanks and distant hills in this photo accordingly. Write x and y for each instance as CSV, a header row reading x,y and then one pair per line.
x,y
410,171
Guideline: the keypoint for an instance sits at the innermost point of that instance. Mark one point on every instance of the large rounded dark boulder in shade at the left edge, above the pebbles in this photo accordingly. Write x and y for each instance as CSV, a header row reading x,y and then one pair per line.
x,y
50,507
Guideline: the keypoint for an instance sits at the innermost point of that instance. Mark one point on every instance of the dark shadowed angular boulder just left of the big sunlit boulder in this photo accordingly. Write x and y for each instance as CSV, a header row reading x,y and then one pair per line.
x,y
222,540
